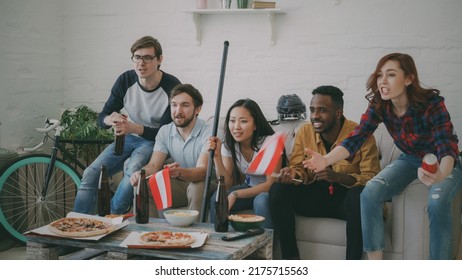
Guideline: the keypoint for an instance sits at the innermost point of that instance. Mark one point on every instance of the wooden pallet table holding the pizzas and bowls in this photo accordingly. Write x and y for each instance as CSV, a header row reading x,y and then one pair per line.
x,y
108,247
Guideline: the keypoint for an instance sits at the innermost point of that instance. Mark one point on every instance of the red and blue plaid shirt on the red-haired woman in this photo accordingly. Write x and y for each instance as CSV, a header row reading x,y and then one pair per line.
x,y
418,132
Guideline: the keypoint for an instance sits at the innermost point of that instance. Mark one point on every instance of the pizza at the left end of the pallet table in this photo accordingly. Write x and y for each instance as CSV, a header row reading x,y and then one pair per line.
x,y
80,227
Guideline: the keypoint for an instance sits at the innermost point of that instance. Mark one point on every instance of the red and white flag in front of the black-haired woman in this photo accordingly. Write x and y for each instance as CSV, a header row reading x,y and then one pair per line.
x,y
270,153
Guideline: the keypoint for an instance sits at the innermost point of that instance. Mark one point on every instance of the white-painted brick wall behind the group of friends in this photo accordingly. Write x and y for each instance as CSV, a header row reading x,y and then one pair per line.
x,y
57,54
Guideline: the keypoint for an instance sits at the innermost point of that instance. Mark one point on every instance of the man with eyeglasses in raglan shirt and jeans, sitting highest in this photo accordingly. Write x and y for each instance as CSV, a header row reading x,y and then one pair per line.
x,y
144,94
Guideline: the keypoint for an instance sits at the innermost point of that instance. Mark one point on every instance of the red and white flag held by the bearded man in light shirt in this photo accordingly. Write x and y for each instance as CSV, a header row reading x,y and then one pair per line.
x,y
161,190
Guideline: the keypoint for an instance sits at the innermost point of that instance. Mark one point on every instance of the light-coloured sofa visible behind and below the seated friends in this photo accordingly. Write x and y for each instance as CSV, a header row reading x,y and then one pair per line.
x,y
406,225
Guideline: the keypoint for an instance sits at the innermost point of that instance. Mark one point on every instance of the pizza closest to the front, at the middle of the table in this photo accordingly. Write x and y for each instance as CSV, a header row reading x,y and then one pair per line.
x,y
167,239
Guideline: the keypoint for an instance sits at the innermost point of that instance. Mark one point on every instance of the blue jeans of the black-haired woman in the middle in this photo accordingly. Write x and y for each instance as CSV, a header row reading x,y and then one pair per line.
x,y
259,204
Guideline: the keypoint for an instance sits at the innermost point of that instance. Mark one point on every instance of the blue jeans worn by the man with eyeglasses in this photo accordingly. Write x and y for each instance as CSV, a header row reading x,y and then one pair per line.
x,y
138,150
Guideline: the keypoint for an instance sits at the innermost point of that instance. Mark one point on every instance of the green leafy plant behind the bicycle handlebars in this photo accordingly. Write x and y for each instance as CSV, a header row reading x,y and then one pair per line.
x,y
79,124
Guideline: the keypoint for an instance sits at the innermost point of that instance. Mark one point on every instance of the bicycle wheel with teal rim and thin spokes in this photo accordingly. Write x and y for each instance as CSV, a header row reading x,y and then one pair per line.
x,y
22,205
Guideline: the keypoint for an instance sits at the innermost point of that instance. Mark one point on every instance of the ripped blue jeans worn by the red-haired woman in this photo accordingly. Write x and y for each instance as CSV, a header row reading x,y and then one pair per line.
x,y
391,181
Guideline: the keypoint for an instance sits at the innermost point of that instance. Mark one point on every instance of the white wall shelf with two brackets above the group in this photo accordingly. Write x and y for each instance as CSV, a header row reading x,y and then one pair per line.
x,y
271,14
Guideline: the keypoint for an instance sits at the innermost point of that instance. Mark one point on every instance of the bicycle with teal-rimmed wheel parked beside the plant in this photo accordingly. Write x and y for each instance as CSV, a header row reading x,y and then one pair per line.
x,y
36,189
